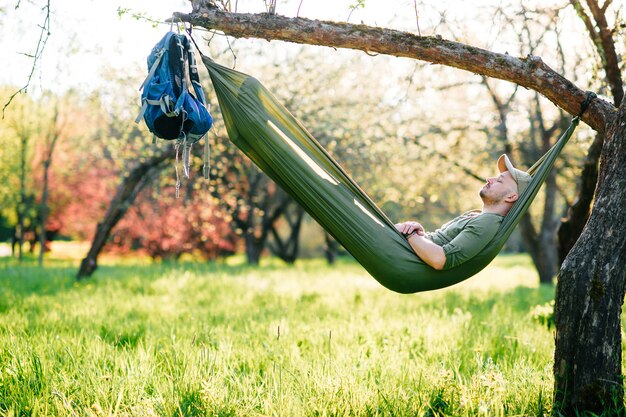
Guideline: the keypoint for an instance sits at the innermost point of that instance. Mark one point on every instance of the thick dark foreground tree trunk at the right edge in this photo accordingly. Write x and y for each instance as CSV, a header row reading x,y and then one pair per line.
x,y
590,294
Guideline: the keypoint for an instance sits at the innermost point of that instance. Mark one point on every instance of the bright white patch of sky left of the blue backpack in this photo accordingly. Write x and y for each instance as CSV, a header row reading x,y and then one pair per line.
x,y
86,37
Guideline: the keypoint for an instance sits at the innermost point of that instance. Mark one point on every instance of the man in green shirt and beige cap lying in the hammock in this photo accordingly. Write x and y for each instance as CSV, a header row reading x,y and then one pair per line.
x,y
464,237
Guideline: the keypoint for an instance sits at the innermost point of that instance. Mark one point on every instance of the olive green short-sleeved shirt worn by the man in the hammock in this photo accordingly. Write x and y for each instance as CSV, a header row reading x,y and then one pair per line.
x,y
465,236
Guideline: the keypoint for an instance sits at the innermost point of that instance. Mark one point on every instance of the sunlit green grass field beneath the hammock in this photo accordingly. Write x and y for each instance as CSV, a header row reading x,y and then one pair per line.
x,y
307,340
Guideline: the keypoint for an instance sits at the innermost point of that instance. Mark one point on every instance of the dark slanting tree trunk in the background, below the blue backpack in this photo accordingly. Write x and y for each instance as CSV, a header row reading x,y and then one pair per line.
x,y
126,193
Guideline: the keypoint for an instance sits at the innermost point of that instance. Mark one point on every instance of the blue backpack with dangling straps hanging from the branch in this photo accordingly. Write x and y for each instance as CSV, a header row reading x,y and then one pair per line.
x,y
171,111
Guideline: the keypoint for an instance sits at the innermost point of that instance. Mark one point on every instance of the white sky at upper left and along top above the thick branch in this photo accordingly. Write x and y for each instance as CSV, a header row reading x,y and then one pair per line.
x,y
89,37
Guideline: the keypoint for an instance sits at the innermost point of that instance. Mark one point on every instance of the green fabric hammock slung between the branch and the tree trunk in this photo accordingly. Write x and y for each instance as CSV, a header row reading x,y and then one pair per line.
x,y
281,147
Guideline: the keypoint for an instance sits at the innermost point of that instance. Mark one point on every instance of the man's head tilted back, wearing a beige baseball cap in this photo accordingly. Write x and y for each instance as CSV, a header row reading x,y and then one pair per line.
x,y
506,188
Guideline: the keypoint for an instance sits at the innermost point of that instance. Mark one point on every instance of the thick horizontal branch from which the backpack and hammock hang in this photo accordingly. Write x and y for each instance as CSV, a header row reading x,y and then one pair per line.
x,y
530,72
